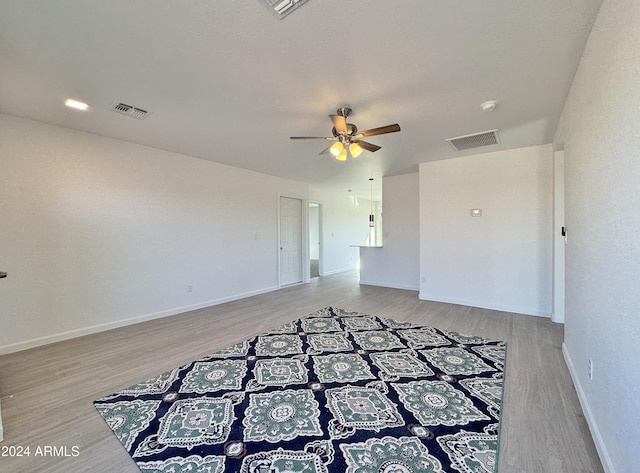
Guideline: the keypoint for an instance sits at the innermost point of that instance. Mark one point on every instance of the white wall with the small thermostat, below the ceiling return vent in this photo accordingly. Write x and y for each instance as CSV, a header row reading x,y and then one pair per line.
x,y
502,260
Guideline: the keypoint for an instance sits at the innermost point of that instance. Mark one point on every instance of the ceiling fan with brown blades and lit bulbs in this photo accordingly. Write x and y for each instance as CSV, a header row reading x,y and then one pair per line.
x,y
347,136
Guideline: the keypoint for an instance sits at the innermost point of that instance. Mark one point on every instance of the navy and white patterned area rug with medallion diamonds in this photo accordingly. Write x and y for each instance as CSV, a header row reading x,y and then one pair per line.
x,y
335,391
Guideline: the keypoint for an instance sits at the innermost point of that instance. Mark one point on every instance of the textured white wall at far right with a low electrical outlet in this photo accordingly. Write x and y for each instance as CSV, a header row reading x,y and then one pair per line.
x,y
600,124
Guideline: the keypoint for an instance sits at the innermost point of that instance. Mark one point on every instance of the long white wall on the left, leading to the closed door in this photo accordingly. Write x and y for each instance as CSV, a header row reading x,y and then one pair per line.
x,y
96,233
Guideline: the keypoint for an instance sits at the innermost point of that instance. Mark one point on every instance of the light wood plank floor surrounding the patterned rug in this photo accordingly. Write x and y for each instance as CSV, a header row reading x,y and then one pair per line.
x,y
47,392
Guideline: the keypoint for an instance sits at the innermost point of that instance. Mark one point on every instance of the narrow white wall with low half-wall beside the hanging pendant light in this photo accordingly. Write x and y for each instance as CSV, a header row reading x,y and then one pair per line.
x,y
397,263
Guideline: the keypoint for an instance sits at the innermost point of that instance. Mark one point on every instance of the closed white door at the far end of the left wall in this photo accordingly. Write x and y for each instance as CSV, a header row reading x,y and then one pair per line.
x,y
290,241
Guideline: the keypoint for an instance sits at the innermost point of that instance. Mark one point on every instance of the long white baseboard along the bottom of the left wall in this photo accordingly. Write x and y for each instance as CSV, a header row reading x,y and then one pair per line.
x,y
59,337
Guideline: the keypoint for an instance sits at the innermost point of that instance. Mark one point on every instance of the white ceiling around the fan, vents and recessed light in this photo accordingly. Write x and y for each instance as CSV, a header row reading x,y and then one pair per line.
x,y
229,82
